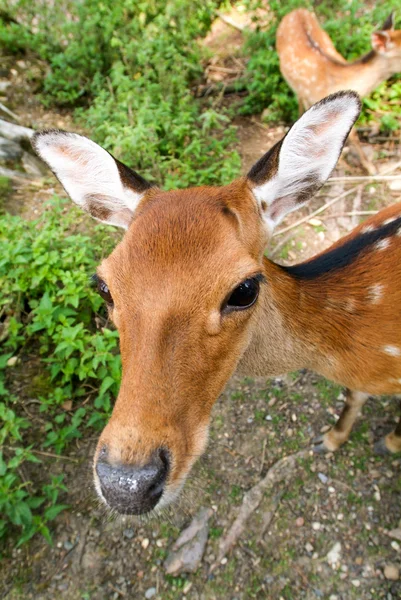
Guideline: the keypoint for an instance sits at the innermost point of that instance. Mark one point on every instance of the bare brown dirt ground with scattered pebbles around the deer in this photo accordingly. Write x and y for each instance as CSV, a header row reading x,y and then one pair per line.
x,y
344,504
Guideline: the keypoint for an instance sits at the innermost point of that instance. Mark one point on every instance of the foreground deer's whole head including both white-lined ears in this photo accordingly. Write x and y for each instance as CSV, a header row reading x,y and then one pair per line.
x,y
185,290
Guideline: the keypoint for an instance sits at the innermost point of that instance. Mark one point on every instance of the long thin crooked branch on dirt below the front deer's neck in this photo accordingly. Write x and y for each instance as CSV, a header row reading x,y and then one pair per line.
x,y
280,471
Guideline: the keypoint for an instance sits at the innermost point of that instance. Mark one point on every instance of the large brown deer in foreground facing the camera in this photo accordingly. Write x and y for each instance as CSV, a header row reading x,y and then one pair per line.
x,y
195,299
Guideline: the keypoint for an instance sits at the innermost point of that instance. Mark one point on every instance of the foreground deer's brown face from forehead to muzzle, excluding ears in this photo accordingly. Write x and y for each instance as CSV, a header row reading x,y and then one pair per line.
x,y
182,293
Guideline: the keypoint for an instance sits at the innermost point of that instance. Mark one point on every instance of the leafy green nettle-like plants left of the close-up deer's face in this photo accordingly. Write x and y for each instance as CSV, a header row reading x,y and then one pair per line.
x,y
49,307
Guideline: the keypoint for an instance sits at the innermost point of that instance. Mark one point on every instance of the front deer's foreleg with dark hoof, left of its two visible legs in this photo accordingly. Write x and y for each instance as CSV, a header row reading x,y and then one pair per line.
x,y
339,434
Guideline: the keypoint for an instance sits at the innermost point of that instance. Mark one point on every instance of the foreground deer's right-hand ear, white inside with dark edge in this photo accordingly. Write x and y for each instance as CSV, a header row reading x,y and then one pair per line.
x,y
296,167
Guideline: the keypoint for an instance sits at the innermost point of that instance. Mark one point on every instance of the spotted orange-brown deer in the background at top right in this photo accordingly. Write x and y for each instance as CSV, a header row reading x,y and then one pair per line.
x,y
313,68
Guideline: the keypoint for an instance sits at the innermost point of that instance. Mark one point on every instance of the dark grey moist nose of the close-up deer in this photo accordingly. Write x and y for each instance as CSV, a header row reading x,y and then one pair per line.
x,y
132,489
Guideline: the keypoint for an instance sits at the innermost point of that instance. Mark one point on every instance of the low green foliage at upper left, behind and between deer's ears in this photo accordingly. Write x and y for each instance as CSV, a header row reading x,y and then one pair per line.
x,y
129,67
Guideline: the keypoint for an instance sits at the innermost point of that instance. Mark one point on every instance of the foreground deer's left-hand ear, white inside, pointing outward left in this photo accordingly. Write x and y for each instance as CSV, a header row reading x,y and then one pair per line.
x,y
93,178
